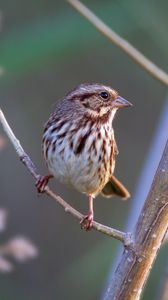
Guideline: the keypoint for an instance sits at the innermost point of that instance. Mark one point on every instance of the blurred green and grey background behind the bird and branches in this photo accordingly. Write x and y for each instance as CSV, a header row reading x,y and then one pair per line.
x,y
46,49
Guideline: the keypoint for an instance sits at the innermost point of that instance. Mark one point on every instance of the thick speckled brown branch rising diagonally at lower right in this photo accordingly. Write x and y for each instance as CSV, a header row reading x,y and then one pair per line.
x,y
135,264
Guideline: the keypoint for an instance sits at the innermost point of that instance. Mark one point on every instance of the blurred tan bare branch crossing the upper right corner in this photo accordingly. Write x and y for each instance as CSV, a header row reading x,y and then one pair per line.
x,y
120,42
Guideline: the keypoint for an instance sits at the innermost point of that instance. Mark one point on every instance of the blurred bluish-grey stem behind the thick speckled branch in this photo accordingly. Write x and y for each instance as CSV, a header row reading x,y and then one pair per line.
x,y
145,181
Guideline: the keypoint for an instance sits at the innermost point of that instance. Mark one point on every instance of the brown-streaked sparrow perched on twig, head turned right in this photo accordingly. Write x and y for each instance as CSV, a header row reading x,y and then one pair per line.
x,y
79,145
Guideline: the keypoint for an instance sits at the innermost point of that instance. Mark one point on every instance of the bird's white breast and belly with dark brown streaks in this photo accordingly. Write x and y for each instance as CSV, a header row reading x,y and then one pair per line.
x,y
82,158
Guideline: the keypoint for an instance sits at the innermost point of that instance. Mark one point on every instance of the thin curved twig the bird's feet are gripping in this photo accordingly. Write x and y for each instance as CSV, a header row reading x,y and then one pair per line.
x,y
125,238
